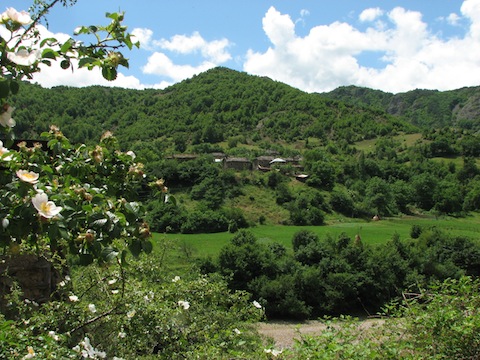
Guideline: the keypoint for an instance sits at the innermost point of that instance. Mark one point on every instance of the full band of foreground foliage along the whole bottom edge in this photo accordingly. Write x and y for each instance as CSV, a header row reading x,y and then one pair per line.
x,y
164,316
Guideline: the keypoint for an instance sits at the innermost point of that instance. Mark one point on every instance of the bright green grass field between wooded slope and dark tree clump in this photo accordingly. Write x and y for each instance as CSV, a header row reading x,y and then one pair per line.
x,y
372,232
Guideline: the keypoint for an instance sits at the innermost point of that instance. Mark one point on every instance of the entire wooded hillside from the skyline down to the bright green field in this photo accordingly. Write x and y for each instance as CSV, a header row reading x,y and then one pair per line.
x,y
360,152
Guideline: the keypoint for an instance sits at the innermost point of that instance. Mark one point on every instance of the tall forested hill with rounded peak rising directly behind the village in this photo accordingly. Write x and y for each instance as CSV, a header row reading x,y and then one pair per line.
x,y
208,108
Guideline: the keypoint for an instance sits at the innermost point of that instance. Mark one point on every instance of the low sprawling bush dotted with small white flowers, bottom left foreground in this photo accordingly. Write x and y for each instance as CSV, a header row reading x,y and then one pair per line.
x,y
139,311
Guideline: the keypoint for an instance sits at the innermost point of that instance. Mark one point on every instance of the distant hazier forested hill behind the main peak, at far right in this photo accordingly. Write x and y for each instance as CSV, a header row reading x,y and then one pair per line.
x,y
424,108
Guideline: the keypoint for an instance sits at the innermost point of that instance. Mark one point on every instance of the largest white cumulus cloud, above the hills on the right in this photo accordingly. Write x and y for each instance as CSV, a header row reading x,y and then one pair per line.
x,y
409,56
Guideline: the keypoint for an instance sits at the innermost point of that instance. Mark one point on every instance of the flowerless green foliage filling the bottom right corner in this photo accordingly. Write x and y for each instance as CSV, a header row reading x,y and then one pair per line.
x,y
441,322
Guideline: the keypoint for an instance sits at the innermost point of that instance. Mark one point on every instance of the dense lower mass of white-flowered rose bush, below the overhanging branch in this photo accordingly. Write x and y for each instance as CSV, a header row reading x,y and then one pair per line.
x,y
75,200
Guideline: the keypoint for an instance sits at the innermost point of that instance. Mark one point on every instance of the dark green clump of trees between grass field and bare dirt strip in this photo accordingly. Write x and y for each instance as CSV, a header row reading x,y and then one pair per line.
x,y
341,275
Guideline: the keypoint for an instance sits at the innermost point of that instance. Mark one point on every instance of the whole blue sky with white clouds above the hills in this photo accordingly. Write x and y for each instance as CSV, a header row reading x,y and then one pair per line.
x,y
313,45
